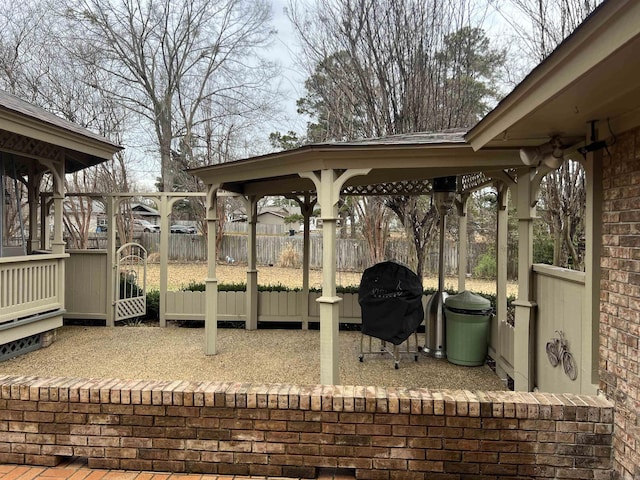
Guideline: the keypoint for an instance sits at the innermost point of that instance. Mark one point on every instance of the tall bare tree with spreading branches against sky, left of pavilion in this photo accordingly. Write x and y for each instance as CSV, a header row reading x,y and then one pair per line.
x,y
168,58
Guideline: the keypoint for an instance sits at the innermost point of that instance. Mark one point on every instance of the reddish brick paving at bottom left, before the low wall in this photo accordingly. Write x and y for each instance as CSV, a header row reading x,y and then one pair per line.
x,y
76,469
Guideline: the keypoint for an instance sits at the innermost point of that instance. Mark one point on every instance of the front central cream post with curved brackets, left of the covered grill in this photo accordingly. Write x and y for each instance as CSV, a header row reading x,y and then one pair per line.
x,y
329,185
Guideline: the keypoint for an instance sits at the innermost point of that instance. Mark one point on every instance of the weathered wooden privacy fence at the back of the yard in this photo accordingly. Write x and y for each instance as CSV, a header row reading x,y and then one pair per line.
x,y
352,254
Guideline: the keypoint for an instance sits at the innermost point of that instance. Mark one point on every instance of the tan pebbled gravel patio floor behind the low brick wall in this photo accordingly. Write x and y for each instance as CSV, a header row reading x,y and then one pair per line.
x,y
258,356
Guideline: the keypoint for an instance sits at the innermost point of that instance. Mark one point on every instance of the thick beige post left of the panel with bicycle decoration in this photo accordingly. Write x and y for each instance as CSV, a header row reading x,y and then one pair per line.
x,y
524,361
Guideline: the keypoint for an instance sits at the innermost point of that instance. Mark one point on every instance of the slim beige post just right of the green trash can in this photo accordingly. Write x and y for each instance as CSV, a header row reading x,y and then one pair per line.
x,y
500,320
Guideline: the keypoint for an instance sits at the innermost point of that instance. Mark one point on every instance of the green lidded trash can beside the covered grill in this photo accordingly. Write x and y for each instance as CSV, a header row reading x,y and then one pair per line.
x,y
467,318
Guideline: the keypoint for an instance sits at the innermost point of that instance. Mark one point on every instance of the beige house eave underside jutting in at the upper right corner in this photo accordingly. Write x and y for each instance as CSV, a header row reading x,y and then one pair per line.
x,y
592,75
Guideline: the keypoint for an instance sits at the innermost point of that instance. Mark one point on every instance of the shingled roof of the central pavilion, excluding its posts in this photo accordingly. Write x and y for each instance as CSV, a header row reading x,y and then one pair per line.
x,y
388,160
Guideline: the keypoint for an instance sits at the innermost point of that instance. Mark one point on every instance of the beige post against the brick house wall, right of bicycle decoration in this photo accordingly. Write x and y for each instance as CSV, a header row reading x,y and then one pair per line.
x,y
589,376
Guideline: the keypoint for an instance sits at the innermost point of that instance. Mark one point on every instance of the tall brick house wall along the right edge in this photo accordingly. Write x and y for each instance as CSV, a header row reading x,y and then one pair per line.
x,y
620,298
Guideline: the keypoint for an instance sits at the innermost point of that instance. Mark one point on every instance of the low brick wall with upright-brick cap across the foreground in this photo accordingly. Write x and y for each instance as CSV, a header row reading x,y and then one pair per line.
x,y
285,430
